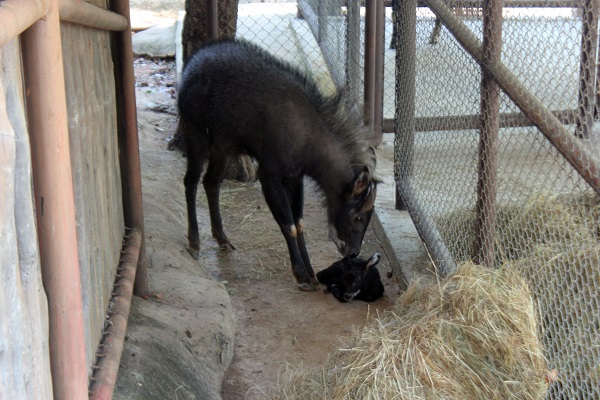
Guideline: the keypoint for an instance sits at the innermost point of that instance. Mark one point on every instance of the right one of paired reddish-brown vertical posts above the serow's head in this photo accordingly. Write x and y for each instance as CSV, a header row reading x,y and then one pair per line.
x,y
378,85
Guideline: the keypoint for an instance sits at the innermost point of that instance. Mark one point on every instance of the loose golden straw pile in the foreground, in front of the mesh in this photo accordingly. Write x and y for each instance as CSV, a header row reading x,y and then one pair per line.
x,y
471,336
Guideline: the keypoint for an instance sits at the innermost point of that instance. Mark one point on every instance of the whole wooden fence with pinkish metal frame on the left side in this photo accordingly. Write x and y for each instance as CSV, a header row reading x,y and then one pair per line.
x,y
71,207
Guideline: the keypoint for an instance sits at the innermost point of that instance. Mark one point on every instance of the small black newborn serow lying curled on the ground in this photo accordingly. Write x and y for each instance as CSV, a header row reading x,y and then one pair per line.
x,y
353,278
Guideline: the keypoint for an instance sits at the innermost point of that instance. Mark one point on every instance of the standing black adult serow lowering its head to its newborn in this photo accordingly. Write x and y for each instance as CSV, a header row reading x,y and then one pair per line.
x,y
236,98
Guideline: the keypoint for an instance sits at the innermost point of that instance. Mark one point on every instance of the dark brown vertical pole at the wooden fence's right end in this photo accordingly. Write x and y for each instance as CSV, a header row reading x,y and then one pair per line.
x,y
131,176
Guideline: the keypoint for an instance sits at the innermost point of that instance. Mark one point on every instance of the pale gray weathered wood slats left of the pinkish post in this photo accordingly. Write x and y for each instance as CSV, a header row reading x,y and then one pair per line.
x,y
25,363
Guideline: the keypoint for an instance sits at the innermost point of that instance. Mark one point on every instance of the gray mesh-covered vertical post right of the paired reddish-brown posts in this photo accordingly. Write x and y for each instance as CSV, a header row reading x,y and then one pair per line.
x,y
406,48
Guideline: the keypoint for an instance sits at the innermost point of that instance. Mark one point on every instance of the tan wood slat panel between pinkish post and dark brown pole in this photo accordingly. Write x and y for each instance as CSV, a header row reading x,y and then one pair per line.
x,y
91,106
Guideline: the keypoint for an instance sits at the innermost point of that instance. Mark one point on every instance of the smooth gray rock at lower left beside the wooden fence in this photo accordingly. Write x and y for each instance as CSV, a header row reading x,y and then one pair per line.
x,y
165,359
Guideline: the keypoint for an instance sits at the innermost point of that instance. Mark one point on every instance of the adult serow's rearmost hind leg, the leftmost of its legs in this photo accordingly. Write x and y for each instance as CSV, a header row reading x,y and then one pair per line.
x,y
196,158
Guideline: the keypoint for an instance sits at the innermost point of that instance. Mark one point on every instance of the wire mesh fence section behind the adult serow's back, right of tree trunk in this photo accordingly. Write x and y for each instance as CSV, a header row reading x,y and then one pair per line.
x,y
325,38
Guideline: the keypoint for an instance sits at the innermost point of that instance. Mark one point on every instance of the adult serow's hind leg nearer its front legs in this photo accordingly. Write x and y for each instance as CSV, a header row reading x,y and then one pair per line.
x,y
217,166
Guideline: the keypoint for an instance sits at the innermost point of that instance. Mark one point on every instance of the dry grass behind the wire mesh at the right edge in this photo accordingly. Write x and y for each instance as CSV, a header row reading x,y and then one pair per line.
x,y
554,242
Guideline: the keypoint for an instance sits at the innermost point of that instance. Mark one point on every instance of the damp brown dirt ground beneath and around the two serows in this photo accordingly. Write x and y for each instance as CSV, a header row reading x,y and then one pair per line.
x,y
276,324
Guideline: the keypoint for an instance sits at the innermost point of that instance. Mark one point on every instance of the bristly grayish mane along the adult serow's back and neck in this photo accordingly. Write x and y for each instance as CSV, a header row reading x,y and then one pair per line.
x,y
344,123
